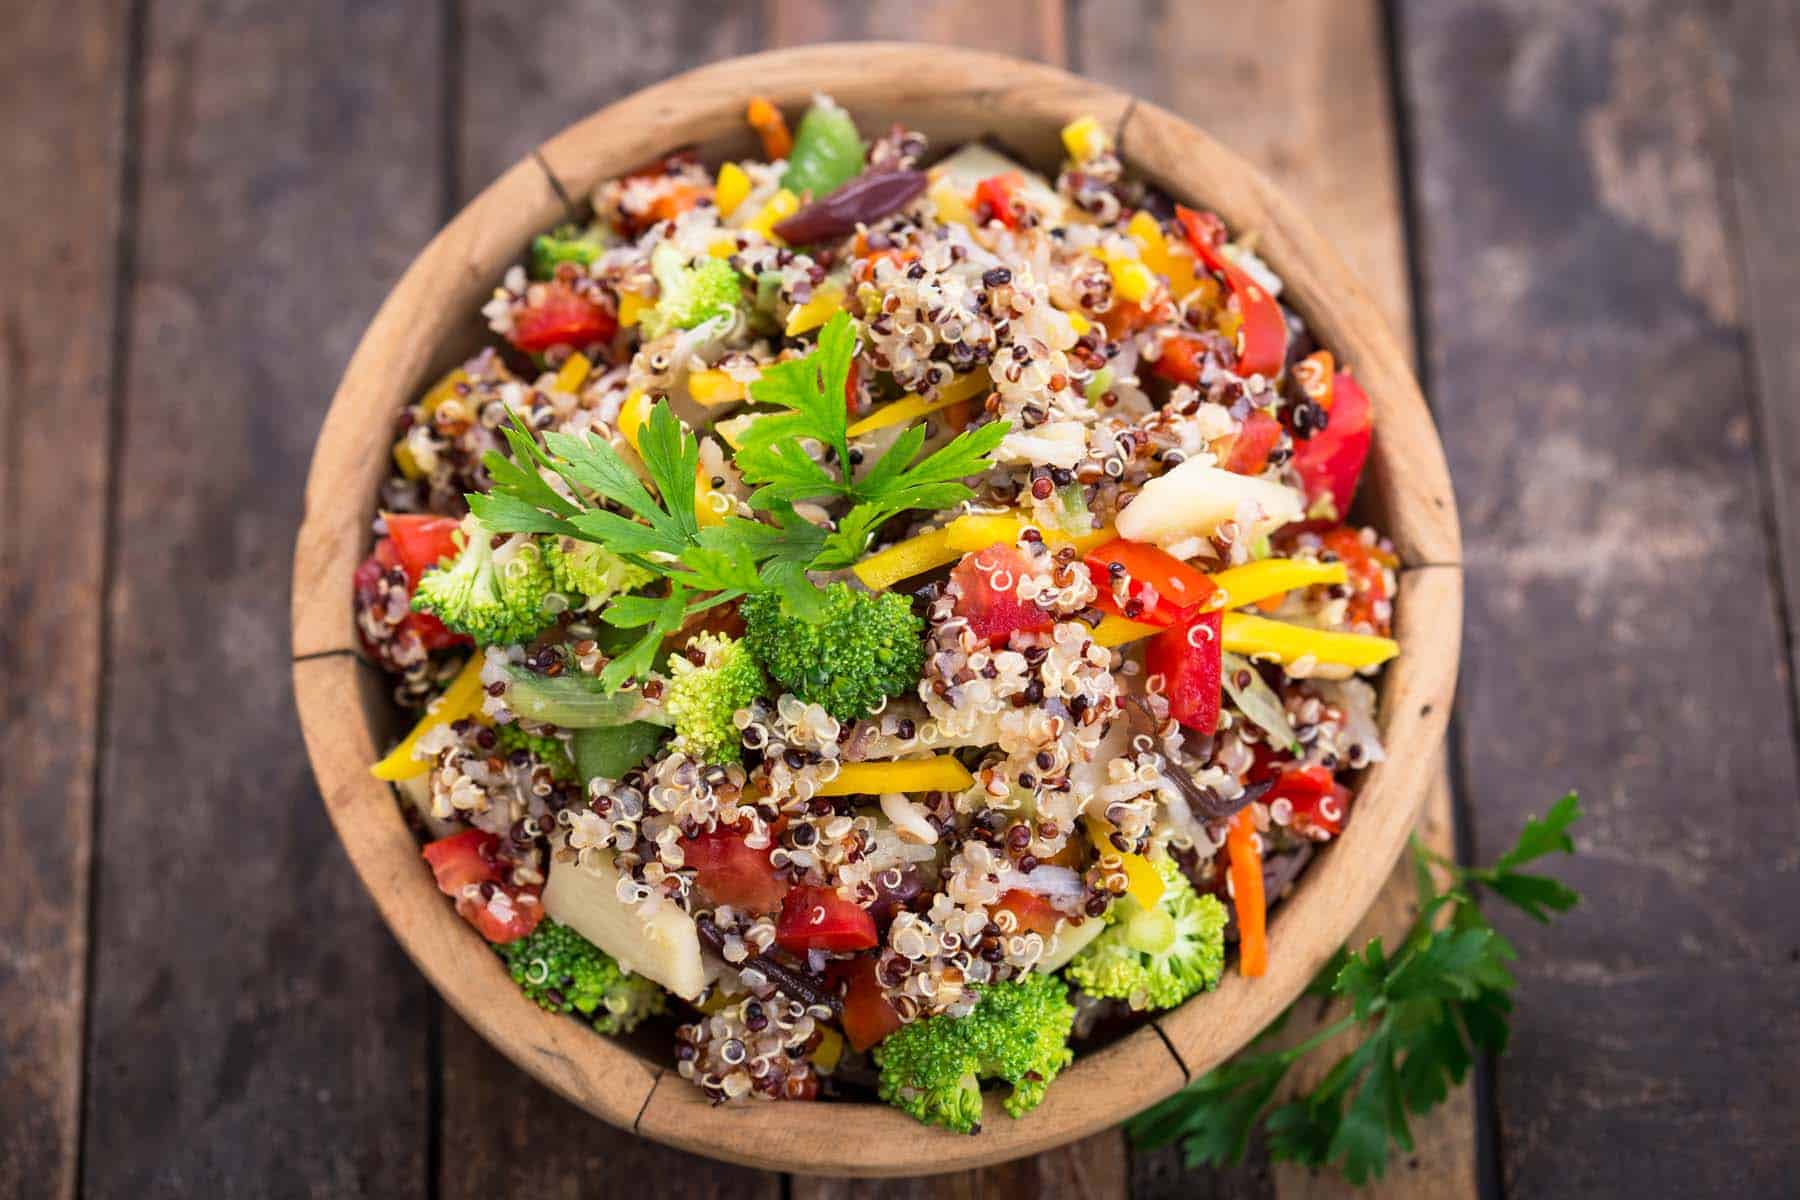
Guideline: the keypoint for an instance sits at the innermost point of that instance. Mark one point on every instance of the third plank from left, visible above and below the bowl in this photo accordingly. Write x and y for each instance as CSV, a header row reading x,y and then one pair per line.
x,y
501,1131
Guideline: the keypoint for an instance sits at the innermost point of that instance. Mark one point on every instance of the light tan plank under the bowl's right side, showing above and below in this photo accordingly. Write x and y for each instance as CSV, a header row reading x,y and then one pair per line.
x,y
1313,109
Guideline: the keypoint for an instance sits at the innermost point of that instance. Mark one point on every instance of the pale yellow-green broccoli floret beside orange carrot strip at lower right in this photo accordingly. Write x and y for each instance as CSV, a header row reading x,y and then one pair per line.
x,y
1156,958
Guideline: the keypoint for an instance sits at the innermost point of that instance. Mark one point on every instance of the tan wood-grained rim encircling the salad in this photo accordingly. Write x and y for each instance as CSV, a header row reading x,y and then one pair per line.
x,y
948,94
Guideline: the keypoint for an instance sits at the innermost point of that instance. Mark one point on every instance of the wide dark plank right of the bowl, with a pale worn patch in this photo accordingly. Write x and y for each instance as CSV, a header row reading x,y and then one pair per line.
x,y
1590,366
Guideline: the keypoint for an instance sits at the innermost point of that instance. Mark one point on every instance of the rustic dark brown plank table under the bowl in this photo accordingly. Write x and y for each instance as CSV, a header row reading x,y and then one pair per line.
x,y
1581,213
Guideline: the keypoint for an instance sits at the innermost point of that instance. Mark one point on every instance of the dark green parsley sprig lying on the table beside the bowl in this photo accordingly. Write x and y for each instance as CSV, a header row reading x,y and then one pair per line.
x,y
1425,1014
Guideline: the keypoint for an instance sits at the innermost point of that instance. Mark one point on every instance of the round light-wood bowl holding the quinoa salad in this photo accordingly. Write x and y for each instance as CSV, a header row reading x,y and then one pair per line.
x,y
429,323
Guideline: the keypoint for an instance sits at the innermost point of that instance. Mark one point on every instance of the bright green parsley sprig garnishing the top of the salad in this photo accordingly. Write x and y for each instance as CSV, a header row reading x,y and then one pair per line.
x,y
701,566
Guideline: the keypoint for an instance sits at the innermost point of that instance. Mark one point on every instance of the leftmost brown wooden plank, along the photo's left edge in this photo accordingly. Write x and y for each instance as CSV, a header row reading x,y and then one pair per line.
x,y
62,91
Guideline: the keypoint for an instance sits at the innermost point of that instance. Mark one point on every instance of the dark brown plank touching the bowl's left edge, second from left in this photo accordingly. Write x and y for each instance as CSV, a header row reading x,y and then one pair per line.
x,y
255,1030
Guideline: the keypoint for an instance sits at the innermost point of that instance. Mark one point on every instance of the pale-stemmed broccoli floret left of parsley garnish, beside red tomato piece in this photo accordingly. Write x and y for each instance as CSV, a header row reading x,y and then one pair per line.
x,y
494,595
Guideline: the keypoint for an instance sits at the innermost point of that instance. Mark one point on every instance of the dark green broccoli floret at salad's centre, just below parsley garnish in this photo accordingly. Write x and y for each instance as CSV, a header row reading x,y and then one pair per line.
x,y
861,650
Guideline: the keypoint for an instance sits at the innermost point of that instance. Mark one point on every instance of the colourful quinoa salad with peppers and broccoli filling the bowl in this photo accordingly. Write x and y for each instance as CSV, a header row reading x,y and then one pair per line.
x,y
879,618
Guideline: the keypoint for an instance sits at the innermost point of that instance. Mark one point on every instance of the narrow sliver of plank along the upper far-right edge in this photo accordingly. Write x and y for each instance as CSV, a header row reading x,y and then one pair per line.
x,y
1765,51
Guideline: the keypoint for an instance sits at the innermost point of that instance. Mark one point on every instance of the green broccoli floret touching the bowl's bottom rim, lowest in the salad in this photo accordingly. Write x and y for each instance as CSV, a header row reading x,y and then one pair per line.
x,y
1020,1034
